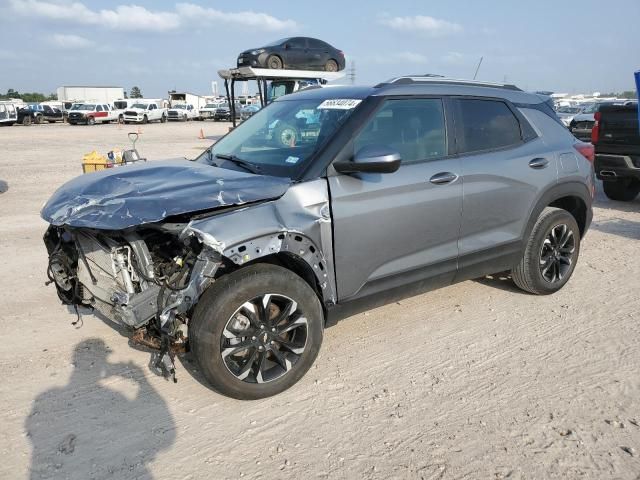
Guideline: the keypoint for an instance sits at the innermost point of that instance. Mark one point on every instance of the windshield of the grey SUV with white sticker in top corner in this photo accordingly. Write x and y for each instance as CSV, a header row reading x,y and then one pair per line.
x,y
282,137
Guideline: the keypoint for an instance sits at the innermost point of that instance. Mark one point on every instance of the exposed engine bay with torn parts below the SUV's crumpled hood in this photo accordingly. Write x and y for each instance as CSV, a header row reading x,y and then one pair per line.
x,y
147,279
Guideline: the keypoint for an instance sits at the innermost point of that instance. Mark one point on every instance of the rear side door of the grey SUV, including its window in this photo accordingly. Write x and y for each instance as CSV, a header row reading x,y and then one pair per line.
x,y
503,172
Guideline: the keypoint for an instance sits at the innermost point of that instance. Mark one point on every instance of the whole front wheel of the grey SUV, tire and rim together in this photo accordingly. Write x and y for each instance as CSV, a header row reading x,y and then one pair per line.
x,y
256,331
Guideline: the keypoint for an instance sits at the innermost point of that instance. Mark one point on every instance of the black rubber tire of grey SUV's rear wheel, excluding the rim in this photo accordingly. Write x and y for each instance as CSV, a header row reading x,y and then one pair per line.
x,y
539,233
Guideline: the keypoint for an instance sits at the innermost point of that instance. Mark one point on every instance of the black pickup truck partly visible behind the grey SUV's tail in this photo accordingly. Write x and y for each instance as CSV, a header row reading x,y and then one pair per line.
x,y
617,149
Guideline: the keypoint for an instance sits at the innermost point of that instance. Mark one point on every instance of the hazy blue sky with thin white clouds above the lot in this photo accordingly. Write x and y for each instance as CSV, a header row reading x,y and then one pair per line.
x,y
571,47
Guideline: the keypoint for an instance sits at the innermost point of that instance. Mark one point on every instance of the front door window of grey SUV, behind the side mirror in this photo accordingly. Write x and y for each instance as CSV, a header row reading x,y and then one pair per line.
x,y
413,127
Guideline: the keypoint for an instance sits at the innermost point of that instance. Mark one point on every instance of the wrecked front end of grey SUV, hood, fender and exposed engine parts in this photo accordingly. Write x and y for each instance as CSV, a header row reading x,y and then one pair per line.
x,y
140,245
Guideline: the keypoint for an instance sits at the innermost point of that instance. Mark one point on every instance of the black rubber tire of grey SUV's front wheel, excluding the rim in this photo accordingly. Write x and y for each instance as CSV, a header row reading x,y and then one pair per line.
x,y
223,298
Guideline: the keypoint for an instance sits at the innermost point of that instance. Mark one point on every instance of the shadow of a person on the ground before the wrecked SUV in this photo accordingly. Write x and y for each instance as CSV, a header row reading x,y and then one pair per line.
x,y
107,421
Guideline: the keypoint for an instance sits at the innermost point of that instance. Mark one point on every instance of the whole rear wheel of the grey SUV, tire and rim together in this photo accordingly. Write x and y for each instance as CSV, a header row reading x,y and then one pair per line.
x,y
551,253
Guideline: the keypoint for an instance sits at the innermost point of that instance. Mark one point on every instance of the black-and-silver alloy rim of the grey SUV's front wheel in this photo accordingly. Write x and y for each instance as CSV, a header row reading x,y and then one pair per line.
x,y
264,338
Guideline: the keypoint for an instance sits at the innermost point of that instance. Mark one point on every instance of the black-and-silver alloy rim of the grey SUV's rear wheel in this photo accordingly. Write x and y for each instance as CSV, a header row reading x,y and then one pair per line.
x,y
556,254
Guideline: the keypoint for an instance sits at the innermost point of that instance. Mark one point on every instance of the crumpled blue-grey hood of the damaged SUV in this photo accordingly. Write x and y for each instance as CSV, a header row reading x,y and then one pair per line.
x,y
131,195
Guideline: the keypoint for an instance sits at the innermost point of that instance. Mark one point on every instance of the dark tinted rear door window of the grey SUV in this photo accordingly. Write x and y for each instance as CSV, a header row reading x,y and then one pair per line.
x,y
486,125
